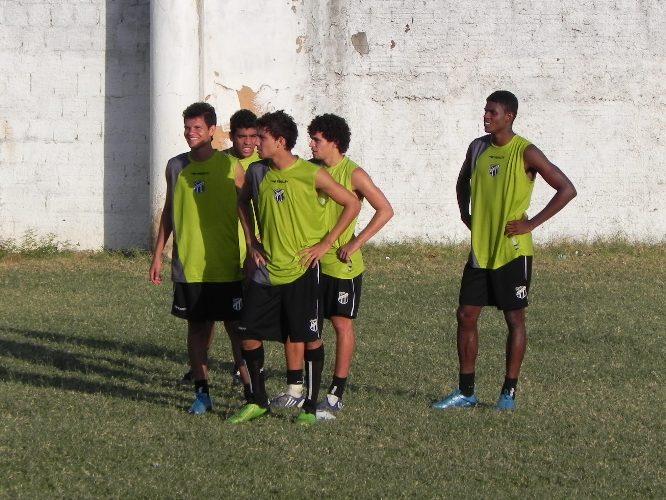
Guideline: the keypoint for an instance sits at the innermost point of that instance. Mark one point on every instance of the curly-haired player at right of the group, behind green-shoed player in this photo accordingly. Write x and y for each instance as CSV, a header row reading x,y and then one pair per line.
x,y
342,266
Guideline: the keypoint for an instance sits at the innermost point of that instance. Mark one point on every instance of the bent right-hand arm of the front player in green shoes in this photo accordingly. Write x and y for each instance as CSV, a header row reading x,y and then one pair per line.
x,y
351,207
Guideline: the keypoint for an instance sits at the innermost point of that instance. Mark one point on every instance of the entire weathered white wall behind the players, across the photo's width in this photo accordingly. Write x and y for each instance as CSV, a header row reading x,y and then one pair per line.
x,y
411,77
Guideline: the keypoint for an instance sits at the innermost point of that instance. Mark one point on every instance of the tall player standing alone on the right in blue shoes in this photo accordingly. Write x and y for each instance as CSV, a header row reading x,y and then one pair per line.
x,y
497,178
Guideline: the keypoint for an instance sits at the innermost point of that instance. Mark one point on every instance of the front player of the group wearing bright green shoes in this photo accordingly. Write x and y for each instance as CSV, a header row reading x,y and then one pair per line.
x,y
282,299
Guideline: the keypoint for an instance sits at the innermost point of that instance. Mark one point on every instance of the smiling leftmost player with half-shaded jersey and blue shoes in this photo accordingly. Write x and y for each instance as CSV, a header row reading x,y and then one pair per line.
x,y
200,211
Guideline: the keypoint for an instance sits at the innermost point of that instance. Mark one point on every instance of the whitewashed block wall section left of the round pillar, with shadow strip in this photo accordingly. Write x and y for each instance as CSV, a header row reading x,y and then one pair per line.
x,y
74,122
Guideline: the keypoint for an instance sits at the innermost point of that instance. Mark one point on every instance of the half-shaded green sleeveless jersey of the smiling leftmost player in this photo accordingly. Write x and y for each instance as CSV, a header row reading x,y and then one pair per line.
x,y
206,247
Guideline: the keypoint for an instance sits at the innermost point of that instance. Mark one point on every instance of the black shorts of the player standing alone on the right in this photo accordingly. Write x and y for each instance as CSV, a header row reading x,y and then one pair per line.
x,y
506,287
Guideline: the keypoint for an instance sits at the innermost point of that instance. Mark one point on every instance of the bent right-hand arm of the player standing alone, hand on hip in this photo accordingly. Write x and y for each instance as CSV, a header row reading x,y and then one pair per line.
x,y
537,163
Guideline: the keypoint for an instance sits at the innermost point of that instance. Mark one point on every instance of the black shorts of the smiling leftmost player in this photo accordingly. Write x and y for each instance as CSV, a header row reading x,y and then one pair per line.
x,y
208,301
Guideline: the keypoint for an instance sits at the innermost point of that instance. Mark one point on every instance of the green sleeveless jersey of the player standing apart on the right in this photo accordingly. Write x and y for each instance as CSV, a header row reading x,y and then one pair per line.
x,y
501,192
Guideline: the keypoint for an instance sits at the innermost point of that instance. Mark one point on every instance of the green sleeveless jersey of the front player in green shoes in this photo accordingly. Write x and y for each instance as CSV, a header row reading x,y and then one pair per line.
x,y
289,215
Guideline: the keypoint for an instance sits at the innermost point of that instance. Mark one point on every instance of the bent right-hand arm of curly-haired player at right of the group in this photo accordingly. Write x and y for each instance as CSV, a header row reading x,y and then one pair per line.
x,y
363,185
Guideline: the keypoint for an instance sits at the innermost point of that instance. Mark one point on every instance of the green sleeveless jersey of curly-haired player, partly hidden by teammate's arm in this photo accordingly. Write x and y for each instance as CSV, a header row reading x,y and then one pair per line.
x,y
331,265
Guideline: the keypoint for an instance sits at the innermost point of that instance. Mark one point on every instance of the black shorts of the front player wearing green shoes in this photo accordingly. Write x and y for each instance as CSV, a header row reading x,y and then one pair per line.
x,y
283,311
